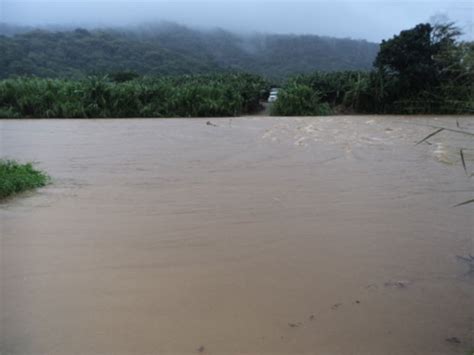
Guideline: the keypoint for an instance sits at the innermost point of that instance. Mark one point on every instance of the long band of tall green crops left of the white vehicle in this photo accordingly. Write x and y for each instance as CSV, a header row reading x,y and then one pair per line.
x,y
181,96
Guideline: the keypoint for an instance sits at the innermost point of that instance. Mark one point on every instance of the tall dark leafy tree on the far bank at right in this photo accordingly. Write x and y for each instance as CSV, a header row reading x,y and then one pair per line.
x,y
425,69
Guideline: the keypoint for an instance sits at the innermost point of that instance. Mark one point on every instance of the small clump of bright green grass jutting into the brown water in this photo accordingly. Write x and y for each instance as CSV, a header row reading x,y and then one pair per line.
x,y
15,178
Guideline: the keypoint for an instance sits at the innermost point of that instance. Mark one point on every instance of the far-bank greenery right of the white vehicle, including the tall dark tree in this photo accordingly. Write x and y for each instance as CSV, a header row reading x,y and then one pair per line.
x,y
421,70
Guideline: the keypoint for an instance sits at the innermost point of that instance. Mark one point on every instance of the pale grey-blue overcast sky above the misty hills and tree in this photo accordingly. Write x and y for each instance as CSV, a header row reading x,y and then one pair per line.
x,y
371,20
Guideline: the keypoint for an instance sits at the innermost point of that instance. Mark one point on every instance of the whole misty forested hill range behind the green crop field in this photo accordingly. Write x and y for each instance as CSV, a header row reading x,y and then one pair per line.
x,y
174,49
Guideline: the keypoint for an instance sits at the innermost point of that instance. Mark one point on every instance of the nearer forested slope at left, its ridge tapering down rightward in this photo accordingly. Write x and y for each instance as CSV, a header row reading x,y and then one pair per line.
x,y
79,52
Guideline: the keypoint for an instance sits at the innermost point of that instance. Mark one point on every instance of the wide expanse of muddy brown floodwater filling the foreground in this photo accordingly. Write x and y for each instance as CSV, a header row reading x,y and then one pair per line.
x,y
259,235
